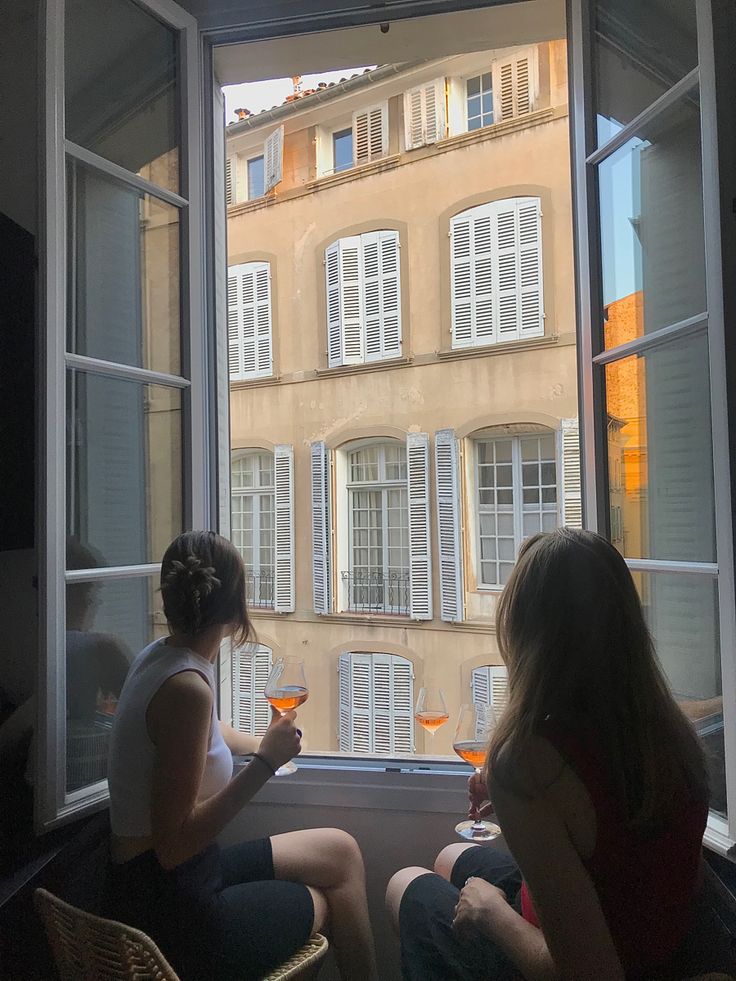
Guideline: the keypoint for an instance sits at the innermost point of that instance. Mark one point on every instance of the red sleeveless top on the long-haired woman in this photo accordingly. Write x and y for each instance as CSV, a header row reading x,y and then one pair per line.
x,y
646,884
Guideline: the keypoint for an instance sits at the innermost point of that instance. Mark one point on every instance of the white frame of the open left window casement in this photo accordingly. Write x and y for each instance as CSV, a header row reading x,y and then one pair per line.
x,y
53,804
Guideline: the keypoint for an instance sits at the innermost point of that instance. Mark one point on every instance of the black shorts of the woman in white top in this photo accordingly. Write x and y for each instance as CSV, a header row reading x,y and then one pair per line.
x,y
220,916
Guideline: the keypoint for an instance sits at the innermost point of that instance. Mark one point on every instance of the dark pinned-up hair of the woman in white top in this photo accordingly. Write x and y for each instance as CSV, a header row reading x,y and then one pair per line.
x,y
203,585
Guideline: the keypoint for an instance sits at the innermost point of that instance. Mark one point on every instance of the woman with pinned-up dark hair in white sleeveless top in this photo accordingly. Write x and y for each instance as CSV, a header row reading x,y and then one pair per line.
x,y
217,914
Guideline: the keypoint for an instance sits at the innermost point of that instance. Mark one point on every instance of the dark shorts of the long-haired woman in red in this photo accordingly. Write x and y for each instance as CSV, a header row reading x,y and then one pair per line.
x,y
430,950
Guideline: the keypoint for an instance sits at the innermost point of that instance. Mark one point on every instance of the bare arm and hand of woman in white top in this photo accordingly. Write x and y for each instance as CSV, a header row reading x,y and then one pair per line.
x,y
178,720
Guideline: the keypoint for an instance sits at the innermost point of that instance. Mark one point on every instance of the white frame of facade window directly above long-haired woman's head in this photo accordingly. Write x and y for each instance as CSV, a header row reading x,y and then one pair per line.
x,y
518,506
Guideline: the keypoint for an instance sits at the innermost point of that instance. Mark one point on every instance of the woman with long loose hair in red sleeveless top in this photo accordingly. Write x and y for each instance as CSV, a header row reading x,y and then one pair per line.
x,y
597,780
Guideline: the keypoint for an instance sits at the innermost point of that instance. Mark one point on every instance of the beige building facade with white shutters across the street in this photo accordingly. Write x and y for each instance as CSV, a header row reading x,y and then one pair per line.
x,y
403,379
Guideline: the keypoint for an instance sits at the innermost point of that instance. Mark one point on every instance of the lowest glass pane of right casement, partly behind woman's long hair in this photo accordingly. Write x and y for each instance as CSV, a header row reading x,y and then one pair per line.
x,y
682,614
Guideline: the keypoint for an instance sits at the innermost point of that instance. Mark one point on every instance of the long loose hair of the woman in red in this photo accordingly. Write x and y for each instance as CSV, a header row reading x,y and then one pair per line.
x,y
571,631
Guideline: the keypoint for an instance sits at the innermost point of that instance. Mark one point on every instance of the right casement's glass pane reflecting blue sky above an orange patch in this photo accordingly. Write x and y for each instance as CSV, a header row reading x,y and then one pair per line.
x,y
651,208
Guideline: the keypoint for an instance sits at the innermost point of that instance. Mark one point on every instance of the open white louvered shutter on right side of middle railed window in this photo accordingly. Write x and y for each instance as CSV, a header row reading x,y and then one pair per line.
x,y
420,558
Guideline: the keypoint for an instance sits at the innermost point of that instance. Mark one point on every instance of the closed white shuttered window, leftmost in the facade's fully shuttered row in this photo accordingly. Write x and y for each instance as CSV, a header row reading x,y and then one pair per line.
x,y
249,321
